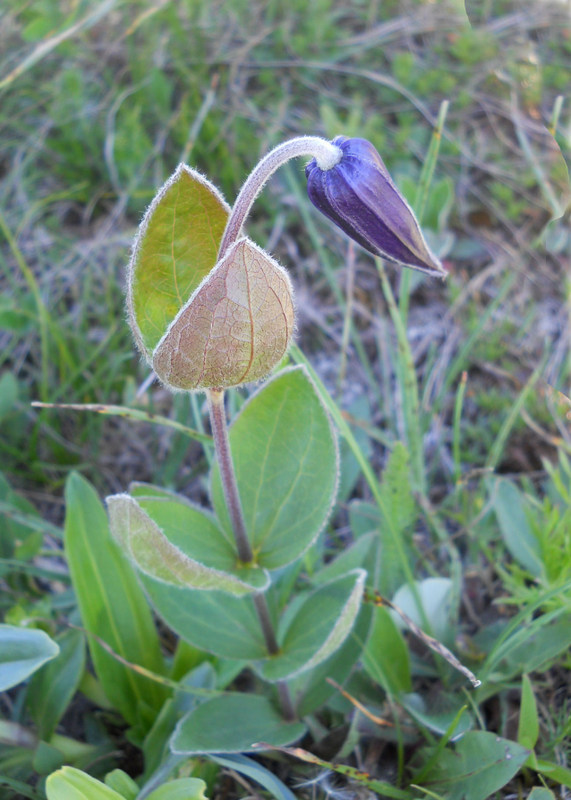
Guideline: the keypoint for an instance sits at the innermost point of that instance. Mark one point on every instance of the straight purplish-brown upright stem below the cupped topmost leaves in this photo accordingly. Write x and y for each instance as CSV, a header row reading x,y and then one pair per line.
x,y
243,546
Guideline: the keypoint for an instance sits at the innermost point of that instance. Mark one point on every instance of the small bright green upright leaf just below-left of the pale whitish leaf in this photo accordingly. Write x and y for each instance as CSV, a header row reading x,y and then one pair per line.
x,y
386,658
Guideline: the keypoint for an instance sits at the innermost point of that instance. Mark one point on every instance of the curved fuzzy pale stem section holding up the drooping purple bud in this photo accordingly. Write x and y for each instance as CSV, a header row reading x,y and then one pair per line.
x,y
326,154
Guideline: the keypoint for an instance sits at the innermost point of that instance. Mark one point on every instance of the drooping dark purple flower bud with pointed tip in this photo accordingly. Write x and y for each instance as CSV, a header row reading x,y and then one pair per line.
x,y
359,196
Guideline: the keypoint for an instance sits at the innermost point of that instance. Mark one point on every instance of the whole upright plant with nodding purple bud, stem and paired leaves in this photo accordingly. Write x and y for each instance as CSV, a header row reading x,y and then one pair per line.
x,y
211,310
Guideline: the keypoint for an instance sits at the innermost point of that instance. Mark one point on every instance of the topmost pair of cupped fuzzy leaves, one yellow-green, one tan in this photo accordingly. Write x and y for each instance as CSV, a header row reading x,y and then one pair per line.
x,y
203,322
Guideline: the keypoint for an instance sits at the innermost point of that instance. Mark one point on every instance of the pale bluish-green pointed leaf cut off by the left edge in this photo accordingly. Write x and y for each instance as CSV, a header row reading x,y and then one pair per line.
x,y
22,652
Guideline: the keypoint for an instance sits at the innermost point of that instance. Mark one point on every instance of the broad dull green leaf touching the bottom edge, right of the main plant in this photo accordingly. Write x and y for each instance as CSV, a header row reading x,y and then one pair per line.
x,y
480,764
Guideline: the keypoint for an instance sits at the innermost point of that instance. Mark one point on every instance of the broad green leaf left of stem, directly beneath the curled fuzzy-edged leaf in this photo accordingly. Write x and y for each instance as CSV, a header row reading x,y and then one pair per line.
x,y
213,621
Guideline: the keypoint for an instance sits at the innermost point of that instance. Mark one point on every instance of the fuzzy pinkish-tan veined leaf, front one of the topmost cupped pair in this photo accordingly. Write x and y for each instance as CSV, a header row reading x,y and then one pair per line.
x,y
234,329
